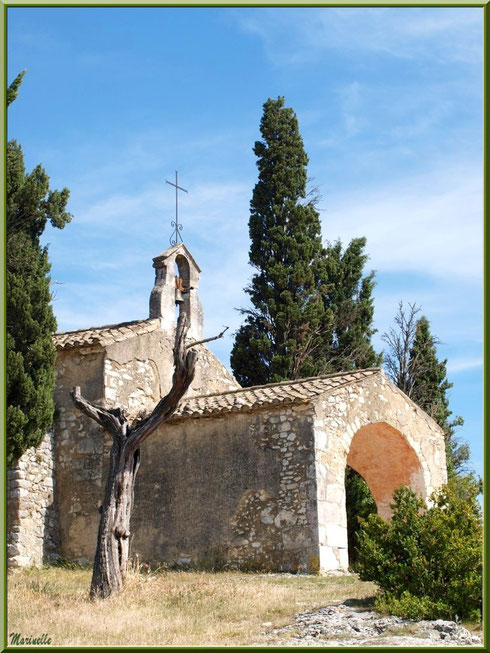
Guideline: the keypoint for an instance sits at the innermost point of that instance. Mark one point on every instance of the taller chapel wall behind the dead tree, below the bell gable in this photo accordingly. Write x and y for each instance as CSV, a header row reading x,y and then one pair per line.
x,y
134,374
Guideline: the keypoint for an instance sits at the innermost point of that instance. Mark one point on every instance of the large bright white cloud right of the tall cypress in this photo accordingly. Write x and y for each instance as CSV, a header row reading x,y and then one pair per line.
x,y
431,224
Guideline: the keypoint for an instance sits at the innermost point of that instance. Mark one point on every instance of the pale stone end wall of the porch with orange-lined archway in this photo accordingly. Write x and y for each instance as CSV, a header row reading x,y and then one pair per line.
x,y
375,429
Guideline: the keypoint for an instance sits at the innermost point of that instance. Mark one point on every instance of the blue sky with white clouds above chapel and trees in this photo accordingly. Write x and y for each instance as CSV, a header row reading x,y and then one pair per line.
x,y
389,102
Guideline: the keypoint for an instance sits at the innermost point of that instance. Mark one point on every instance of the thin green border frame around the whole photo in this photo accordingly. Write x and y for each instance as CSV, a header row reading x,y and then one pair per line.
x,y
4,5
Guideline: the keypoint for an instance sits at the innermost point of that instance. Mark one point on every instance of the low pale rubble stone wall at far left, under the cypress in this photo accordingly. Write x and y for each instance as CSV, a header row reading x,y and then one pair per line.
x,y
33,537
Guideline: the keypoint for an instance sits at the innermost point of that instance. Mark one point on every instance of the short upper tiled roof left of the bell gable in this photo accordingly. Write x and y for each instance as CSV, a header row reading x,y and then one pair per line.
x,y
104,335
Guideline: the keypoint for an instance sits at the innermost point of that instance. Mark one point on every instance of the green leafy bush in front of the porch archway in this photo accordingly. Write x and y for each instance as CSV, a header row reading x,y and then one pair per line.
x,y
427,561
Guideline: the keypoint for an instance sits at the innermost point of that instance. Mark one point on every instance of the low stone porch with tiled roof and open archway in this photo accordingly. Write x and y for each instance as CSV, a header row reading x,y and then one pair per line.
x,y
254,478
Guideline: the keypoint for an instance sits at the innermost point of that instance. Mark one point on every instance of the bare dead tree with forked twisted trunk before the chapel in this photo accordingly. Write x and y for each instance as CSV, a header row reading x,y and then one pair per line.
x,y
112,550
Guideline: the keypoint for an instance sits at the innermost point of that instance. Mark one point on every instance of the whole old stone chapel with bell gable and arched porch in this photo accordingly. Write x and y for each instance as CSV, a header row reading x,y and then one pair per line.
x,y
249,478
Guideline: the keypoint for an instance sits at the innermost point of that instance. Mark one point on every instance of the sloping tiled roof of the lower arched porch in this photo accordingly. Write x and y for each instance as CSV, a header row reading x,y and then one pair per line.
x,y
287,392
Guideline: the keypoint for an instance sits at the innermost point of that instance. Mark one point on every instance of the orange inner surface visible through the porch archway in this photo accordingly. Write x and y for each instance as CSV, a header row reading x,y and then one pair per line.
x,y
384,458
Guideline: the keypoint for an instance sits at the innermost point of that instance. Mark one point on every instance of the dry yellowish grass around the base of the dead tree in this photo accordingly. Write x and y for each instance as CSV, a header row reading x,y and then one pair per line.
x,y
167,608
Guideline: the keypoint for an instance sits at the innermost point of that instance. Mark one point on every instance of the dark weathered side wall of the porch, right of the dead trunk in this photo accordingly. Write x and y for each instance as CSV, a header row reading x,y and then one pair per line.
x,y
235,490
